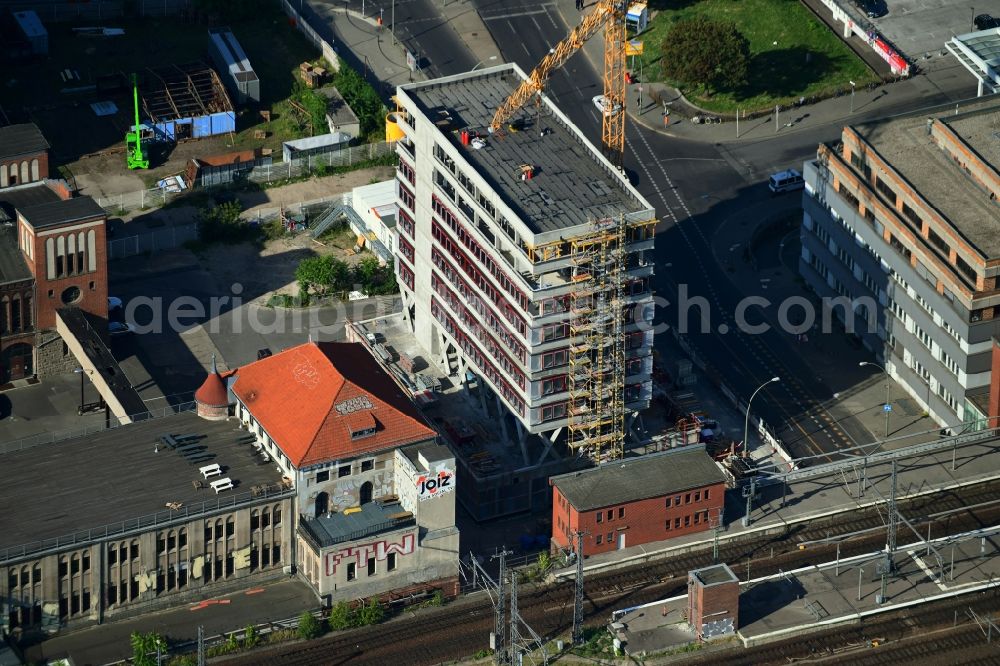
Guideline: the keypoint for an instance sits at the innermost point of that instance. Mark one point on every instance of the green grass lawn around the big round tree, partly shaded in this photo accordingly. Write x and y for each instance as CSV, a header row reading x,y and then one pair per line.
x,y
792,53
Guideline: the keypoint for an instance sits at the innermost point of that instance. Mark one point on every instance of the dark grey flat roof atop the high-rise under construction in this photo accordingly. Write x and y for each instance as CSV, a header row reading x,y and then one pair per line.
x,y
573,184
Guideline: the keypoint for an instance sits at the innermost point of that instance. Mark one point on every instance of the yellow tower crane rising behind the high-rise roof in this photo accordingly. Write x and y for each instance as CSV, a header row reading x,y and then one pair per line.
x,y
611,15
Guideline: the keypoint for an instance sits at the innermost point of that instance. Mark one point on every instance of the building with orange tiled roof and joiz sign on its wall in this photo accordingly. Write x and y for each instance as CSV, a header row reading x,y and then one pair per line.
x,y
375,507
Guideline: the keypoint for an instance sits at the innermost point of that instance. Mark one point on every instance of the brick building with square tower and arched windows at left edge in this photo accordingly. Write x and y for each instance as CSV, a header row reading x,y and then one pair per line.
x,y
53,254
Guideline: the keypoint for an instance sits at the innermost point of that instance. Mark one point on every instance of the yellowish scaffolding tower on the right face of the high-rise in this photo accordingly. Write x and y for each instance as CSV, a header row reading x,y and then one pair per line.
x,y
597,368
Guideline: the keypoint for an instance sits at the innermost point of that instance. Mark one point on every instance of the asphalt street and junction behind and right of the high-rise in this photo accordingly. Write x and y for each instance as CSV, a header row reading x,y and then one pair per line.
x,y
695,187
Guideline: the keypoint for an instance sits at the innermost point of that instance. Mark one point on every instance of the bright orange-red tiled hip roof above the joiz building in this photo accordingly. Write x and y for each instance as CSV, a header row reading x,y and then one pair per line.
x,y
309,398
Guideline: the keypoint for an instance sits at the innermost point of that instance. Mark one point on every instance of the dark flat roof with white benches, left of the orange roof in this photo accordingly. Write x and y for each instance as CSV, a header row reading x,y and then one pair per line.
x,y
53,490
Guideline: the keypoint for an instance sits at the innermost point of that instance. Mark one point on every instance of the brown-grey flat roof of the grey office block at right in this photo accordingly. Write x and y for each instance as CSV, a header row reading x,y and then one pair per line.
x,y
906,145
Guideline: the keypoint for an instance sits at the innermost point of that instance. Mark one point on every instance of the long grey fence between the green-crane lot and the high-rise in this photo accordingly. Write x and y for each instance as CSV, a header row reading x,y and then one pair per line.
x,y
122,204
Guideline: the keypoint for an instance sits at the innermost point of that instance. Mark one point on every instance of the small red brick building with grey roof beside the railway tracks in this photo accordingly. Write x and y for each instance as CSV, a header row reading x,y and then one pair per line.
x,y
638,500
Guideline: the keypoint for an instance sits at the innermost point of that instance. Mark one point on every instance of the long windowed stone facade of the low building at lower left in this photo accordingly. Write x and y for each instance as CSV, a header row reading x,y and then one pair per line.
x,y
141,564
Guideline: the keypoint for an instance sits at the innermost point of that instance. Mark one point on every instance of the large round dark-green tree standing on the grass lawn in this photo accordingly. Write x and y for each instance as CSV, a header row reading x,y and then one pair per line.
x,y
701,52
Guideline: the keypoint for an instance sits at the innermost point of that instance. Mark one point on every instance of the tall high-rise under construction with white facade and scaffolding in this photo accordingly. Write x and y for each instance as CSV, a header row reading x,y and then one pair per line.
x,y
522,260
